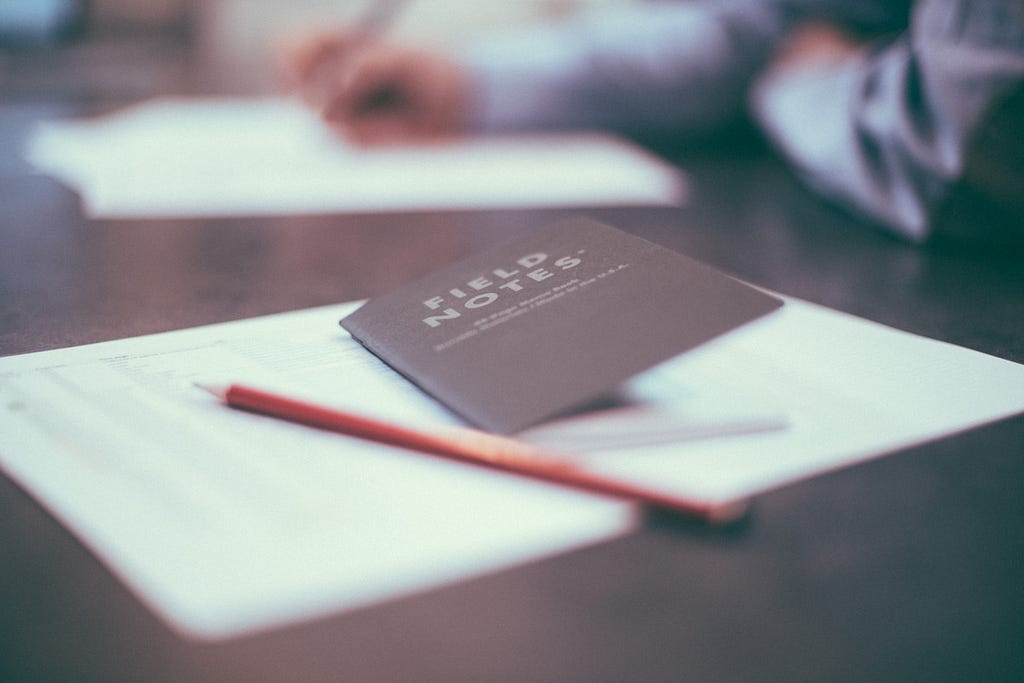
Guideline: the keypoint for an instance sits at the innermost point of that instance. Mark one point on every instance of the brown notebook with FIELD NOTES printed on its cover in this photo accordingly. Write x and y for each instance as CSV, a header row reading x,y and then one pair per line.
x,y
527,332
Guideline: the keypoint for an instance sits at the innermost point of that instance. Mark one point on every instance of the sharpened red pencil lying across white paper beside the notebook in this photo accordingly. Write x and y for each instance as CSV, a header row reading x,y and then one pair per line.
x,y
471,446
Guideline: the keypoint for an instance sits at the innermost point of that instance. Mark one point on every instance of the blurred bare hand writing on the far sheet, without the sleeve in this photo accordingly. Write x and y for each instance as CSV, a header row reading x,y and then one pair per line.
x,y
374,93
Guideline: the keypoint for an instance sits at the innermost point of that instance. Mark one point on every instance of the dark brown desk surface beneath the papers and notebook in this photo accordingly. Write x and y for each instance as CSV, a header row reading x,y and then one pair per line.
x,y
909,568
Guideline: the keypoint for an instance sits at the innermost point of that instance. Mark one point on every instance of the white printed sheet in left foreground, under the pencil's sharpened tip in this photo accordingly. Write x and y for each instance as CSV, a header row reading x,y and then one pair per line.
x,y
226,523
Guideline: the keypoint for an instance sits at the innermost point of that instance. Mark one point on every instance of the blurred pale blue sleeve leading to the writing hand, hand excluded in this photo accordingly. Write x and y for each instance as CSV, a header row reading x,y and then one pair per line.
x,y
661,68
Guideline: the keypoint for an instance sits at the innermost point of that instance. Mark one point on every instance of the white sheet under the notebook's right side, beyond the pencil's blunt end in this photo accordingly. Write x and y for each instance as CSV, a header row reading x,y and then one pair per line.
x,y
851,390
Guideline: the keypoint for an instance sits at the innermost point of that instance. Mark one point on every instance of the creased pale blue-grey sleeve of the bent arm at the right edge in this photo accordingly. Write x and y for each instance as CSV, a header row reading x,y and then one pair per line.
x,y
893,131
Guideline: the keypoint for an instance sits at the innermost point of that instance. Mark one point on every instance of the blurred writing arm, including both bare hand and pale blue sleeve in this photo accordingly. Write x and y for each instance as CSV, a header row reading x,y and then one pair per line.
x,y
679,68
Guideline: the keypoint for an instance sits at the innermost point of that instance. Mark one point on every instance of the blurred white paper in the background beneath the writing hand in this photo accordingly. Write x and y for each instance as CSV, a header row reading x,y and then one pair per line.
x,y
226,157
